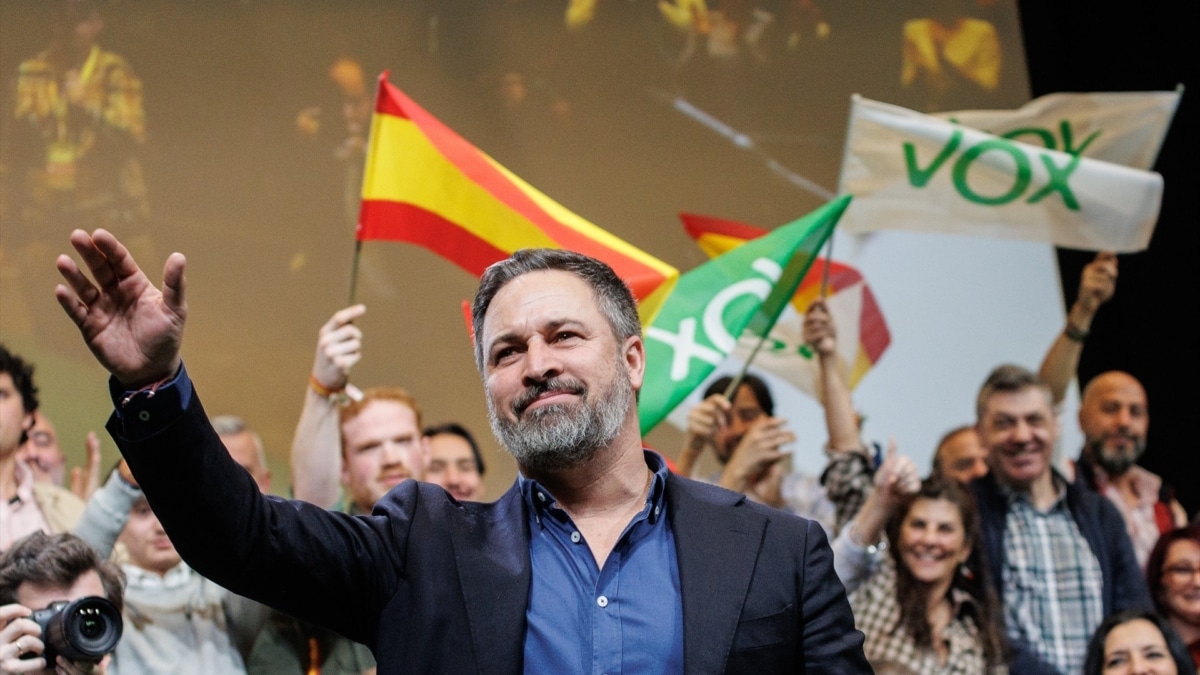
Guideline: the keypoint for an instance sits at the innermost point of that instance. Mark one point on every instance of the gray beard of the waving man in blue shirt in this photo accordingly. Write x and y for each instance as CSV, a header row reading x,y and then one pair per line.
x,y
563,437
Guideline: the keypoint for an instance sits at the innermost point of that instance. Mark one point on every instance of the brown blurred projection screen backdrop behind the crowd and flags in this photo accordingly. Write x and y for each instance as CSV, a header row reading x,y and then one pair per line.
x,y
244,124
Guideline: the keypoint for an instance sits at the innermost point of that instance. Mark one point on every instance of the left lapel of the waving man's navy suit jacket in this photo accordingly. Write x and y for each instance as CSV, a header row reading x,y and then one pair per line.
x,y
493,555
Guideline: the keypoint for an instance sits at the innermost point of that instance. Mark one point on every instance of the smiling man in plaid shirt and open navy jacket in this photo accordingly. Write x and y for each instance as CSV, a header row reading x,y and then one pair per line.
x,y
1060,557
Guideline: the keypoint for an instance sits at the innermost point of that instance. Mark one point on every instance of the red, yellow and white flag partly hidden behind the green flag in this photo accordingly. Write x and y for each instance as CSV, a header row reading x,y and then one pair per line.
x,y
862,331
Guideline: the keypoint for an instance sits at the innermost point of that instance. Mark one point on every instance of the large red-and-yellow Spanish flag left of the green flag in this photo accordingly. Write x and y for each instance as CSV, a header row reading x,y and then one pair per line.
x,y
427,186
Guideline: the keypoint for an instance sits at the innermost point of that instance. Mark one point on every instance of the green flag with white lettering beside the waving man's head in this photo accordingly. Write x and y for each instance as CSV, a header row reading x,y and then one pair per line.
x,y
713,304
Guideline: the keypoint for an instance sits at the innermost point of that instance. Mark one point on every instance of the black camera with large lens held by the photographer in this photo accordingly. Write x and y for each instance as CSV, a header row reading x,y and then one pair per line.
x,y
83,630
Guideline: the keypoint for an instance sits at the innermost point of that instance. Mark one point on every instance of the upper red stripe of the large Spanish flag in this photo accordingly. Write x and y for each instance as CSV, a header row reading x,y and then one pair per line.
x,y
478,170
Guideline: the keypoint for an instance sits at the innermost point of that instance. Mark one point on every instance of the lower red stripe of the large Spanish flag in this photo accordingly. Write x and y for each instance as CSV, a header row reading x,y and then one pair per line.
x,y
397,222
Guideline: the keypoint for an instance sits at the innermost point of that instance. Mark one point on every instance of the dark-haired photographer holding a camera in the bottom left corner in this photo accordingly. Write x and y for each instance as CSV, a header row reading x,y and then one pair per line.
x,y
41,570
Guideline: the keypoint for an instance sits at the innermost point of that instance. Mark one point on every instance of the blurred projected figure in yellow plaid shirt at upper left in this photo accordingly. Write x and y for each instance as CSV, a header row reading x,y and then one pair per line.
x,y
75,132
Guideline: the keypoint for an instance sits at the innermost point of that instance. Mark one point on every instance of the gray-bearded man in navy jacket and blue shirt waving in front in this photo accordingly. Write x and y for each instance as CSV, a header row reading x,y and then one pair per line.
x,y
597,560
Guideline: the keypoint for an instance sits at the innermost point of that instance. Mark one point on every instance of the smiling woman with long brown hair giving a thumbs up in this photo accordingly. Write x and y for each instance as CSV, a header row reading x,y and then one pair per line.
x,y
921,595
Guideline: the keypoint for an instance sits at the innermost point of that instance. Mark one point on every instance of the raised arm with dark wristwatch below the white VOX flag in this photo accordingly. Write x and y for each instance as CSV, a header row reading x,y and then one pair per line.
x,y
1096,286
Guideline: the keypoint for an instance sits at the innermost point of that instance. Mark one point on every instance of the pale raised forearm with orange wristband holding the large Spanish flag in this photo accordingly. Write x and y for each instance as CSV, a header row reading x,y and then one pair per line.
x,y
317,444
